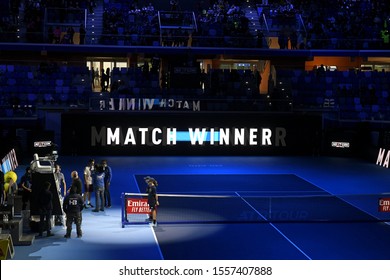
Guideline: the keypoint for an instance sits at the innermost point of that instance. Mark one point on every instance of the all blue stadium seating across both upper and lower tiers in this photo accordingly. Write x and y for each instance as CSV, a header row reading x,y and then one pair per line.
x,y
361,95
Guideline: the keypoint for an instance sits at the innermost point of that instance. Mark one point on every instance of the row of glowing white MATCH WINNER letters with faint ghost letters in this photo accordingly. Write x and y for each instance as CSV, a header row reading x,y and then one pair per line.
x,y
108,136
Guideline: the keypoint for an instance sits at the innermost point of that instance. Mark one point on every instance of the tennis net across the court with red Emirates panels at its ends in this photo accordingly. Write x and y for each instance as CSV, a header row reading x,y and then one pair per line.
x,y
253,208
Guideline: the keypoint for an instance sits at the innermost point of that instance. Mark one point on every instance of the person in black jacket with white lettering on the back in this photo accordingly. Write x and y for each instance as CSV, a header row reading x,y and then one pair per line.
x,y
73,205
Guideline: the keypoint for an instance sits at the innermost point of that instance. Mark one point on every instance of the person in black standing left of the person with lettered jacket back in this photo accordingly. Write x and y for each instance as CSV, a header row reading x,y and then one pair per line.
x,y
45,209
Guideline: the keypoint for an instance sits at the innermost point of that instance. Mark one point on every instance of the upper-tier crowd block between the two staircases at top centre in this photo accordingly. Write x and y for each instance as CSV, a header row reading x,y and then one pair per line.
x,y
127,23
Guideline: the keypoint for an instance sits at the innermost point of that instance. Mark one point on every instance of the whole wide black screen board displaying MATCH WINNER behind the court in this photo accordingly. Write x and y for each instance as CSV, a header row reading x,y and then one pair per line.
x,y
152,133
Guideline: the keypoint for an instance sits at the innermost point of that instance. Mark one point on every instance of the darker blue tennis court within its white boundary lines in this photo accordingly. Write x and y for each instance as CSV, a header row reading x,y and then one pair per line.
x,y
263,216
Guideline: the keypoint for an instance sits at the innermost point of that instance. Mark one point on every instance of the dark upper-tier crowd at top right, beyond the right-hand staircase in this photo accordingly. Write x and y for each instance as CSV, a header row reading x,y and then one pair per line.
x,y
340,24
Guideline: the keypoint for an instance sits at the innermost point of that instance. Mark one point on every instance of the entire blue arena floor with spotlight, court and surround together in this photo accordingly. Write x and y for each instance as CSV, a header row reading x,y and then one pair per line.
x,y
270,208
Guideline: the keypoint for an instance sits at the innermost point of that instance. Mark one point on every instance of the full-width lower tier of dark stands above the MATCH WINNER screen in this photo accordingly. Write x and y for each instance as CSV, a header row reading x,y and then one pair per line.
x,y
354,94
